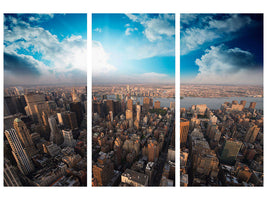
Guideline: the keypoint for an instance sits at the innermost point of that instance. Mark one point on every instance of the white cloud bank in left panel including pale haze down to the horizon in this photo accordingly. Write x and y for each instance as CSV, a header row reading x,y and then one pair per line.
x,y
67,58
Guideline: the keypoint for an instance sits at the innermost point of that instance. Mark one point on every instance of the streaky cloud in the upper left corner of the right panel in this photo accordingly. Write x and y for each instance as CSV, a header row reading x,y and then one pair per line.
x,y
206,29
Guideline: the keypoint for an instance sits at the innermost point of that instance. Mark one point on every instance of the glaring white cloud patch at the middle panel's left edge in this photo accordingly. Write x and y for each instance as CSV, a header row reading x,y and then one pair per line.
x,y
100,60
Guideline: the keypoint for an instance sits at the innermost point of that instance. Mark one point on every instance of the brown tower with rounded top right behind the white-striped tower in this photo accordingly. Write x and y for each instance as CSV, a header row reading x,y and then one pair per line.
x,y
24,136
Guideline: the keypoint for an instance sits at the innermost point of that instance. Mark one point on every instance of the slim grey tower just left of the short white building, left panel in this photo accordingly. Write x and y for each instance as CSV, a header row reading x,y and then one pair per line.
x,y
55,136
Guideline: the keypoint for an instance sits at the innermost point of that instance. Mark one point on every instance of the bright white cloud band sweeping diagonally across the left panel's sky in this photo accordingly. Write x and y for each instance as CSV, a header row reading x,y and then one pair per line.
x,y
68,55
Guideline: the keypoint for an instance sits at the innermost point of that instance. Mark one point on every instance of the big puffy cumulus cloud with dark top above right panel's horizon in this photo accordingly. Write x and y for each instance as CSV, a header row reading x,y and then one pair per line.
x,y
220,65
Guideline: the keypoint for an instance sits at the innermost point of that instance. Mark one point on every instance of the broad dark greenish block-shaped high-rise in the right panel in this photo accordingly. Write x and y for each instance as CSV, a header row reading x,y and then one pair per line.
x,y
230,151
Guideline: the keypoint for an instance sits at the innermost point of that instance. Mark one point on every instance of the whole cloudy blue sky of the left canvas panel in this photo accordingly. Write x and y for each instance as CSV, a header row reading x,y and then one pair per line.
x,y
45,49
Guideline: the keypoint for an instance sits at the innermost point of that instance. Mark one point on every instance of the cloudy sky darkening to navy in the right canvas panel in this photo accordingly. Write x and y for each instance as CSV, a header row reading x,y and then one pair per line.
x,y
221,48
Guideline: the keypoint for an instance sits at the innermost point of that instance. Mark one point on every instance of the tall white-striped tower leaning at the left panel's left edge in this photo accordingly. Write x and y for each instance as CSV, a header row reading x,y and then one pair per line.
x,y
23,161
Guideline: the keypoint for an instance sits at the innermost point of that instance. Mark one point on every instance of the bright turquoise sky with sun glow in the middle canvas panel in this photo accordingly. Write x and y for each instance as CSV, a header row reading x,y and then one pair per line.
x,y
133,48
